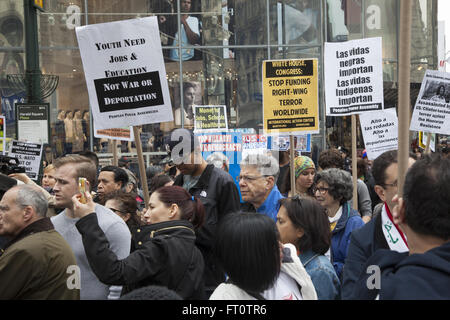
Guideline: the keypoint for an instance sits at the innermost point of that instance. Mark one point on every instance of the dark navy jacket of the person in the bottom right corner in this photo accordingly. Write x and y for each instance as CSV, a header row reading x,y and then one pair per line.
x,y
409,277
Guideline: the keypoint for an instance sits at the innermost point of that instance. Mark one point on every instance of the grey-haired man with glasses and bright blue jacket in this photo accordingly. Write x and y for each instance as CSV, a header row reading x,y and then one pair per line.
x,y
257,182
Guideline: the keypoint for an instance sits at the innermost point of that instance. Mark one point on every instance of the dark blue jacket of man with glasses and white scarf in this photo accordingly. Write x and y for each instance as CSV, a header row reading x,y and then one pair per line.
x,y
363,243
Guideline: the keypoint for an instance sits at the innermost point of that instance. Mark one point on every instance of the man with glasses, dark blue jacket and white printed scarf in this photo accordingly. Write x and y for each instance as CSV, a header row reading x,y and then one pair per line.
x,y
381,232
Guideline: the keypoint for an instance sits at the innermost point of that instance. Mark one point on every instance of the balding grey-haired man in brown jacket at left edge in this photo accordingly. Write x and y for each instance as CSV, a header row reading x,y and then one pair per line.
x,y
37,263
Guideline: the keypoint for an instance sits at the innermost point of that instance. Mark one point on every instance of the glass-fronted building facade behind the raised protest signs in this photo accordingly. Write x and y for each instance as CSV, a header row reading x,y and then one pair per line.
x,y
221,64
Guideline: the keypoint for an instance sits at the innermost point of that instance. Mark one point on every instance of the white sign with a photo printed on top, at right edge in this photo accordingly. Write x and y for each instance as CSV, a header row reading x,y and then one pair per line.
x,y
432,110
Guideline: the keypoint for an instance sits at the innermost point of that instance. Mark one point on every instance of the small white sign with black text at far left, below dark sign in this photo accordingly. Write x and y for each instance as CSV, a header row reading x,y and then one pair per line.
x,y
29,155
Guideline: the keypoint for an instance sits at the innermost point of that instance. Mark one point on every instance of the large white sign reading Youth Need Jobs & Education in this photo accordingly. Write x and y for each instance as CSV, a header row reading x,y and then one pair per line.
x,y
125,73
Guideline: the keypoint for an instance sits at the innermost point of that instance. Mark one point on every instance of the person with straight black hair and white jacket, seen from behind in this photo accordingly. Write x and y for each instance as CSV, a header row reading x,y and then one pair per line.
x,y
248,250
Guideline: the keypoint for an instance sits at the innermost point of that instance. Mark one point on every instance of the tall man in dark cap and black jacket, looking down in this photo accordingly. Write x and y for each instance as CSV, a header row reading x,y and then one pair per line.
x,y
213,186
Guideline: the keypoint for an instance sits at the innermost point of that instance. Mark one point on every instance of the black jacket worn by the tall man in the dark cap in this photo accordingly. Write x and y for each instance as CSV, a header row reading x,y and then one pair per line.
x,y
220,196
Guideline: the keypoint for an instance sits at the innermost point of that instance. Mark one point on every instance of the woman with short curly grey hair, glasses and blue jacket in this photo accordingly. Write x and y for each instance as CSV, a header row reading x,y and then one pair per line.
x,y
333,189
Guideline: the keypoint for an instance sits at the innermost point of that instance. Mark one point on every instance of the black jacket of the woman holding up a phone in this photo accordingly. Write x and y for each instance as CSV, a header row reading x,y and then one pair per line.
x,y
167,258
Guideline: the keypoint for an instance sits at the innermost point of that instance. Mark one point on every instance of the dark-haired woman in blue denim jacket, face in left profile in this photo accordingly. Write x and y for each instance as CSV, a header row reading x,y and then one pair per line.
x,y
304,223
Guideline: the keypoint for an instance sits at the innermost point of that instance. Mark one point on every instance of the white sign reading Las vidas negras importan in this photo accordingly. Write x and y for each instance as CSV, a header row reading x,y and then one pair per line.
x,y
353,77
